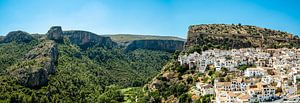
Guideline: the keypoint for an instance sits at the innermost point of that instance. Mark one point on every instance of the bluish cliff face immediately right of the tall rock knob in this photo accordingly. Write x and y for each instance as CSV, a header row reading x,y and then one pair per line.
x,y
87,39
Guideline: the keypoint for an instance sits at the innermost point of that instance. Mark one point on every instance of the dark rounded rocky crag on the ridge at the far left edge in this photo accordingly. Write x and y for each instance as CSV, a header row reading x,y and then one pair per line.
x,y
18,36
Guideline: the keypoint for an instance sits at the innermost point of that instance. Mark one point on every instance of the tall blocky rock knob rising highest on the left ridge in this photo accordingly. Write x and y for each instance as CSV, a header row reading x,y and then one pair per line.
x,y
55,33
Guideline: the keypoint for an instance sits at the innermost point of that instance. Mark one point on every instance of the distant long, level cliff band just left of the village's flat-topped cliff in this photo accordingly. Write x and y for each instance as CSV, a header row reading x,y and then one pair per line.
x,y
162,45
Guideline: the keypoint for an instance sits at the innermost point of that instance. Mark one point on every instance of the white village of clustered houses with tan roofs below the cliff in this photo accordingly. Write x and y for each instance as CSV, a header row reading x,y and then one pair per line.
x,y
249,74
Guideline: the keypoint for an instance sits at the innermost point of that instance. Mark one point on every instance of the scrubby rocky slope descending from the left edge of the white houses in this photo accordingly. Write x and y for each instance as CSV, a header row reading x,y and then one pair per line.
x,y
174,84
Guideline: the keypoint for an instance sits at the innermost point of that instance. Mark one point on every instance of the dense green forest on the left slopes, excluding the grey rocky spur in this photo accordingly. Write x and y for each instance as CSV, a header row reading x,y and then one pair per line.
x,y
97,74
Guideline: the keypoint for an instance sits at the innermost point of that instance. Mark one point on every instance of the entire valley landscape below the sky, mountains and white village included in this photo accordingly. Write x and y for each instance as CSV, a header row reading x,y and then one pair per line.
x,y
216,60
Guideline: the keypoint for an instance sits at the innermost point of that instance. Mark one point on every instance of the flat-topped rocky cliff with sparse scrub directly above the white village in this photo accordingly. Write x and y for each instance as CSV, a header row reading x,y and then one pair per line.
x,y
225,36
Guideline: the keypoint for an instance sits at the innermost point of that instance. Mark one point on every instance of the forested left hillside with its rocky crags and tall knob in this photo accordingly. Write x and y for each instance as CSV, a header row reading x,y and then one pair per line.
x,y
72,66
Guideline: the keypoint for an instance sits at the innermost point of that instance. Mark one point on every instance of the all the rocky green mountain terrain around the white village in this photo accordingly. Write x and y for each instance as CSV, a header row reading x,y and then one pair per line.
x,y
69,66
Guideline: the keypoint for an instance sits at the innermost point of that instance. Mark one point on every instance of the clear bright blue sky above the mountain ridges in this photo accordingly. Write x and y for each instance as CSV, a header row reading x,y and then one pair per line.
x,y
155,17
